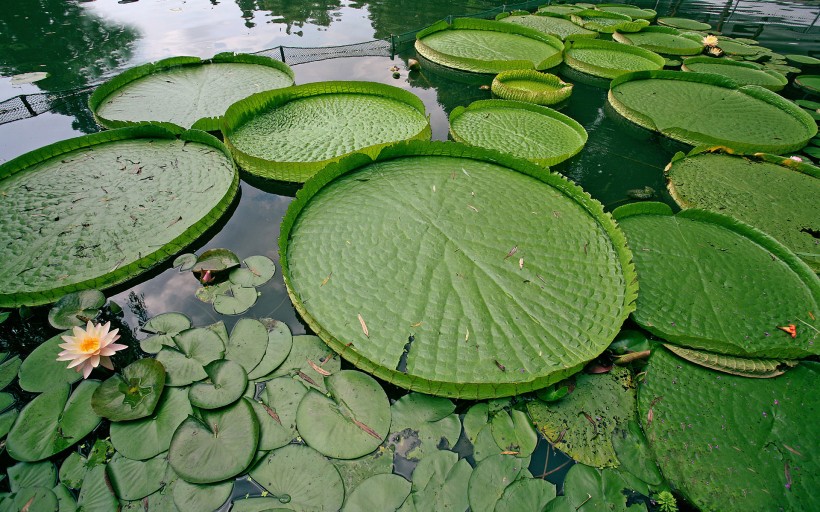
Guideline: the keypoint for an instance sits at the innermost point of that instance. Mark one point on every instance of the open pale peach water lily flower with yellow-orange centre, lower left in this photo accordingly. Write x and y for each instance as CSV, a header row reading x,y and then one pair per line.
x,y
91,347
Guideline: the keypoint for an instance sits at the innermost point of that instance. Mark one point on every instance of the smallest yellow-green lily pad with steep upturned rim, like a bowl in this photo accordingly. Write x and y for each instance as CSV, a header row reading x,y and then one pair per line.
x,y
531,86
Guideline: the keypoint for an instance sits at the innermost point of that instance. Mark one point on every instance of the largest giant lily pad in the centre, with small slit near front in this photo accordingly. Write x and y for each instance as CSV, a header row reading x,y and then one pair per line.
x,y
454,270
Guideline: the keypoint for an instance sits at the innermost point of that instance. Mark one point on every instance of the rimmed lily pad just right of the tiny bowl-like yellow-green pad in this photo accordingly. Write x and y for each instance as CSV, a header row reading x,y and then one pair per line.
x,y
608,59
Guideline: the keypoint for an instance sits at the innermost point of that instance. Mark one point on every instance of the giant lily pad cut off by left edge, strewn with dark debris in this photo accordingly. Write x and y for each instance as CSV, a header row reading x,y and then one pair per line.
x,y
108,207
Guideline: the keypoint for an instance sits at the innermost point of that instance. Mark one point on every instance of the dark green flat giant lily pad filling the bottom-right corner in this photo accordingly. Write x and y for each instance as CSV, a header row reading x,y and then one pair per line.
x,y
731,443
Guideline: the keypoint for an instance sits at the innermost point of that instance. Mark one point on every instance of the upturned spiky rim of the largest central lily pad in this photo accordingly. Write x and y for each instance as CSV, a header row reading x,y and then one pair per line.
x,y
417,148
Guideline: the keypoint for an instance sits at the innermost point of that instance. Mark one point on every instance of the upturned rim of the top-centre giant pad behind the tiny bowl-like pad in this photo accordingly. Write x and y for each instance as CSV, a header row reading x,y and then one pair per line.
x,y
483,65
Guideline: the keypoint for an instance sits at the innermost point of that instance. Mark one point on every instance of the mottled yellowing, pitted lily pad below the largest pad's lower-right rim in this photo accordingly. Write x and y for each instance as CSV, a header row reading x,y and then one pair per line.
x,y
582,423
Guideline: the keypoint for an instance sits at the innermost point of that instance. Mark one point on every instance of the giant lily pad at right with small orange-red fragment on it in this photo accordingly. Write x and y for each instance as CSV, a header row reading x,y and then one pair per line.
x,y
711,282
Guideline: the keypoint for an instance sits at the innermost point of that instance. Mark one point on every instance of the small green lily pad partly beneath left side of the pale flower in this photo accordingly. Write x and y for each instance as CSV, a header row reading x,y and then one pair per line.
x,y
41,371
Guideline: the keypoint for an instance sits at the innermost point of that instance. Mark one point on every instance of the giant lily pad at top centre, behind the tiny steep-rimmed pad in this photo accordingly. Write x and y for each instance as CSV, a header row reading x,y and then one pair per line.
x,y
482,46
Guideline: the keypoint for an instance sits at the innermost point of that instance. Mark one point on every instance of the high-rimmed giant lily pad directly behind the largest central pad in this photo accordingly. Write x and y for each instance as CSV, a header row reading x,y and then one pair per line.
x,y
290,134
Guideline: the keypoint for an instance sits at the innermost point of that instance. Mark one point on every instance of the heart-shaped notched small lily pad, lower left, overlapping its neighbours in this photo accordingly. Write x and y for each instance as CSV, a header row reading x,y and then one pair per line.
x,y
218,445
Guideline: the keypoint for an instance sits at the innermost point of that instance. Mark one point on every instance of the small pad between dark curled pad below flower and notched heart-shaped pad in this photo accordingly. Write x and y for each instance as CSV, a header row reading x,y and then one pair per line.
x,y
147,437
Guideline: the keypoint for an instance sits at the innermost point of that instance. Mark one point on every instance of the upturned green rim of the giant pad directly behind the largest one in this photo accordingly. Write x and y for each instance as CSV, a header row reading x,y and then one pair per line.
x,y
242,111
